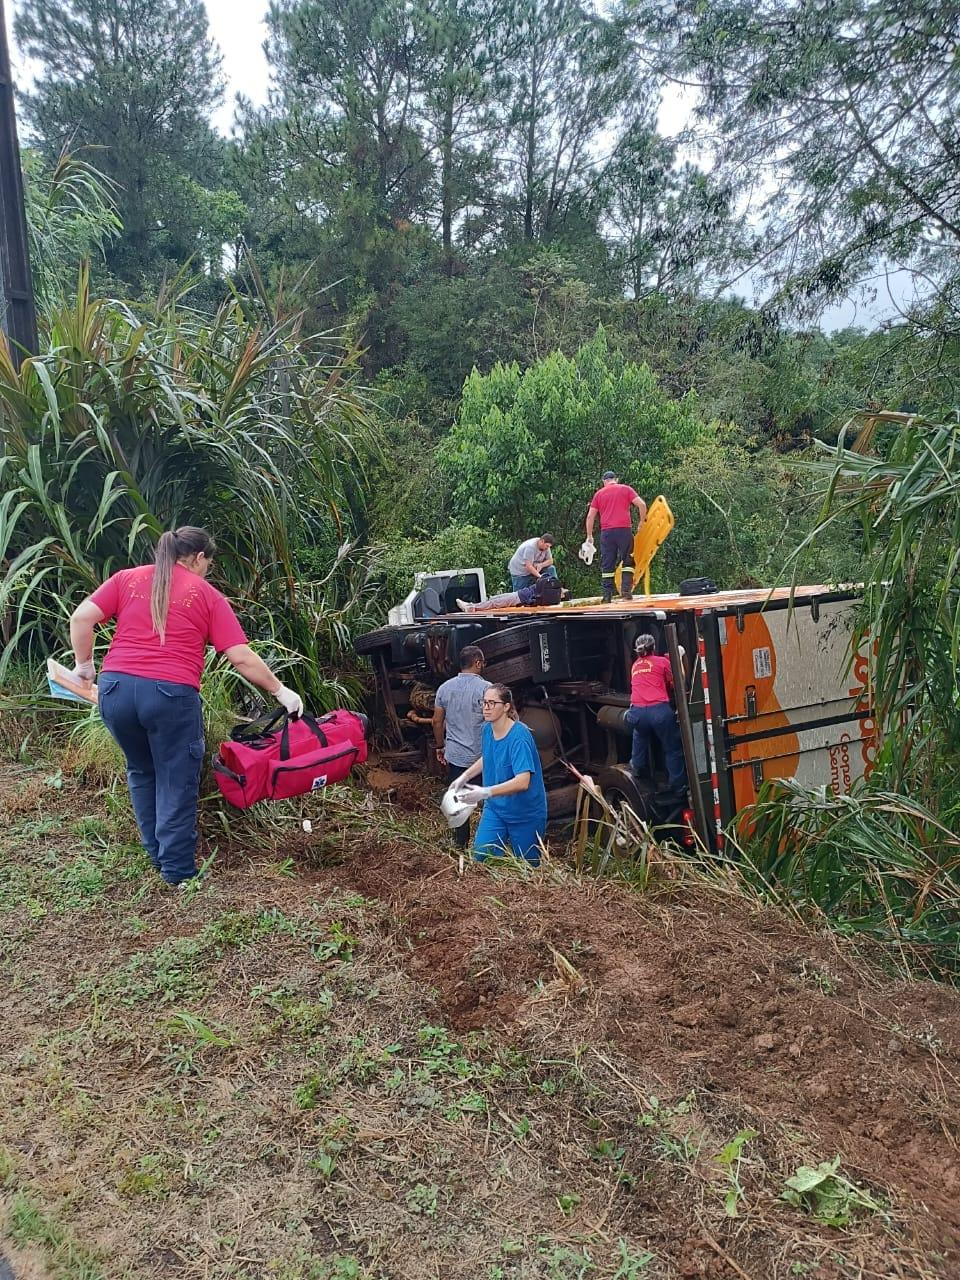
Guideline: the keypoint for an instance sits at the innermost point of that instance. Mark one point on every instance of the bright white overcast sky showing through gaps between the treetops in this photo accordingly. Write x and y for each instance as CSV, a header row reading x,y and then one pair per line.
x,y
237,26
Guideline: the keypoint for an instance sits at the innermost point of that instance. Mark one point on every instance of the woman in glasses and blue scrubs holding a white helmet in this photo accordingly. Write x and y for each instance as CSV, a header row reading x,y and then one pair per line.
x,y
514,796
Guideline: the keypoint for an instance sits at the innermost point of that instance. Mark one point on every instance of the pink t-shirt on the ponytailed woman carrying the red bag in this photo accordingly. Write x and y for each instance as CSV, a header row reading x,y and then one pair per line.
x,y
199,616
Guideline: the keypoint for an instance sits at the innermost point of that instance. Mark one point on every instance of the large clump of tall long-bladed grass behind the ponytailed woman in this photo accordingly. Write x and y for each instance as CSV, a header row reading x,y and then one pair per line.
x,y
129,424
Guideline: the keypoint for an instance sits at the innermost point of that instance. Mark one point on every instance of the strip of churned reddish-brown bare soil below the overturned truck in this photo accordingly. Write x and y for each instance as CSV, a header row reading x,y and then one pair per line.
x,y
705,993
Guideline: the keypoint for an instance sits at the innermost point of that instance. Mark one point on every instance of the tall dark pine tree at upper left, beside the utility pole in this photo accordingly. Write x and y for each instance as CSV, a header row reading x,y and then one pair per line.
x,y
135,80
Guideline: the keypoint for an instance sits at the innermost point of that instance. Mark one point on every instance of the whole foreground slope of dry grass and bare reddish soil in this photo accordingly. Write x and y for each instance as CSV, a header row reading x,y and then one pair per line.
x,y
339,1058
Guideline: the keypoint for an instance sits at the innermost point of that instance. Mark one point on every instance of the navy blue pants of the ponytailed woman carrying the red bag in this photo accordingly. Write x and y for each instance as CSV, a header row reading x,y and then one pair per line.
x,y
159,728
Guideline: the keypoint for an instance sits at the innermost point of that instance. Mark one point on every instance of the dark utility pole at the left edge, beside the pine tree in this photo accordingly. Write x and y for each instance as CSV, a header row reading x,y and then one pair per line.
x,y
19,319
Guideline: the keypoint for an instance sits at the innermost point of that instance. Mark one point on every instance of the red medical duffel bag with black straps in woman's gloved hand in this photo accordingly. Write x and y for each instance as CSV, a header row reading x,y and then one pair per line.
x,y
284,758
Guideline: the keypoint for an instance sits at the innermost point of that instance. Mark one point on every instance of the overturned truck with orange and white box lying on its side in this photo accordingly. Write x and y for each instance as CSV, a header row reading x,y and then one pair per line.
x,y
766,689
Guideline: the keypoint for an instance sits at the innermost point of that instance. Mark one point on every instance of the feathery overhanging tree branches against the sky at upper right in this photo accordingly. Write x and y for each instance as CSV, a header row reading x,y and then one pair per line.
x,y
844,117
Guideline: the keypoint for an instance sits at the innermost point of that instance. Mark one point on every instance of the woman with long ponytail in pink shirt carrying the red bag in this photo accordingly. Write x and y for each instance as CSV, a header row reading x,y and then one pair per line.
x,y
167,615
